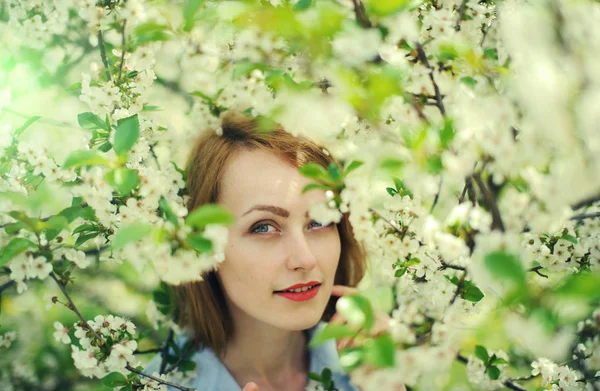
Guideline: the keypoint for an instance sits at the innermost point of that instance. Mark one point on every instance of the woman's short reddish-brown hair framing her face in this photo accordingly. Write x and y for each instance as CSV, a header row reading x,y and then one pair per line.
x,y
202,306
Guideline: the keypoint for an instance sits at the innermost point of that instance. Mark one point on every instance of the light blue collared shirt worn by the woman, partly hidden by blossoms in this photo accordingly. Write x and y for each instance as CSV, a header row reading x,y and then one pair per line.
x,y
212,375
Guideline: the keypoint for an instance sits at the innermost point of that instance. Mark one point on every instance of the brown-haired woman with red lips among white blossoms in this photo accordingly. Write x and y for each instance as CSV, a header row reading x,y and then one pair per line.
x,y
251,319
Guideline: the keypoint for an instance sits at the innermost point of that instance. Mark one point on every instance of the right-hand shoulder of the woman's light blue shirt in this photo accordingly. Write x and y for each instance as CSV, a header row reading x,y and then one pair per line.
x,y
326,355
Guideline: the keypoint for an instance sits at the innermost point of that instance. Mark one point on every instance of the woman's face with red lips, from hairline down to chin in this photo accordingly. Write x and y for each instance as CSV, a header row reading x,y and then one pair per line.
x,y
274,244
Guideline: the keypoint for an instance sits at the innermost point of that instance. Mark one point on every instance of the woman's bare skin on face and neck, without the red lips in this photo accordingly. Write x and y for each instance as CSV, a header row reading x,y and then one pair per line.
x,y
268,252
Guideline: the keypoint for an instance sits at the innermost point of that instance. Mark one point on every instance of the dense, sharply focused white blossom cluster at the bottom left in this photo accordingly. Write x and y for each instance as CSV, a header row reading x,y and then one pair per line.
x,y
92,360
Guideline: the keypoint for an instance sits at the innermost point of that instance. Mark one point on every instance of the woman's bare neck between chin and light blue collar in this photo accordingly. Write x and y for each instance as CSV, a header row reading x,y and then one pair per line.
x,y
265,354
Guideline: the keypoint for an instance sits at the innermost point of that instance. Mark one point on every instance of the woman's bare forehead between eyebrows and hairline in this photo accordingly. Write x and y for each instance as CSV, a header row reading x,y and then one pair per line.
x,y
260,177
